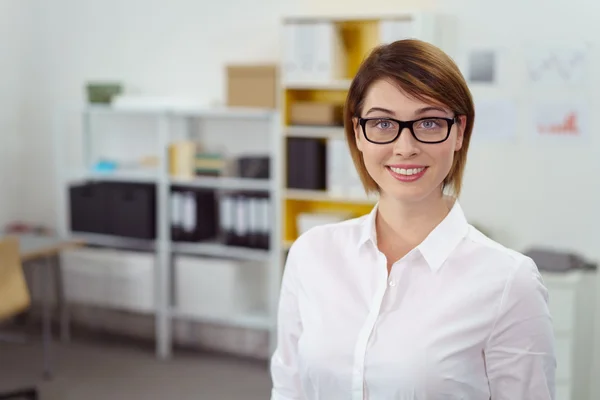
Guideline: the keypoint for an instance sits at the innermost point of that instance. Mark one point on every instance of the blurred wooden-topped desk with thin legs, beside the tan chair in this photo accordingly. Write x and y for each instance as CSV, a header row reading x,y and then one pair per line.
x,y
43,251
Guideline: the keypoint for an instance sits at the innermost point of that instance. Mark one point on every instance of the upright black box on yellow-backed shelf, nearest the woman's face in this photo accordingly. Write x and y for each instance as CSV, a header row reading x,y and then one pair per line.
x,y
306,168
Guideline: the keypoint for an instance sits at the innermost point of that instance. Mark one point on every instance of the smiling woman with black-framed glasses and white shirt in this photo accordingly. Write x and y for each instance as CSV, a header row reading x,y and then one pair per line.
x,y
410,301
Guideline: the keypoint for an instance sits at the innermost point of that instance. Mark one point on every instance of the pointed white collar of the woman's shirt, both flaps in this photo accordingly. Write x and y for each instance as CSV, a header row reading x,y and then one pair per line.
x,y
438,245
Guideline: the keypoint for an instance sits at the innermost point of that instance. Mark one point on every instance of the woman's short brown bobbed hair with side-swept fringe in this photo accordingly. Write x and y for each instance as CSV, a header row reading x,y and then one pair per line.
x,y
423,71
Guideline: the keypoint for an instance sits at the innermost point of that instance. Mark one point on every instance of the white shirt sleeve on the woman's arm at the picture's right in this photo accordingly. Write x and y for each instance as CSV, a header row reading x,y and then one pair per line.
x,y
519,355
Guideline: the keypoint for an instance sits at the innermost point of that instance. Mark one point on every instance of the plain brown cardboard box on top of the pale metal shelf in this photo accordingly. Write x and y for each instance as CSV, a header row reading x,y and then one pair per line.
x,y
252,86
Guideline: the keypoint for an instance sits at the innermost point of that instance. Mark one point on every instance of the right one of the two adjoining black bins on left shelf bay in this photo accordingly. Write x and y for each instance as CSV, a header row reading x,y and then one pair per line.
x,y
132,210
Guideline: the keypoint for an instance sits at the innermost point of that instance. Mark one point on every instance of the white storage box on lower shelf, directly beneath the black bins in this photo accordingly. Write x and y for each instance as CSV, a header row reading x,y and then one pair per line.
x,y
109,278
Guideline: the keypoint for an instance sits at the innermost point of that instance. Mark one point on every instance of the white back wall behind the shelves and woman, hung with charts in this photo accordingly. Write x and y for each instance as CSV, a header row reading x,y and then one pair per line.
x,y
523,194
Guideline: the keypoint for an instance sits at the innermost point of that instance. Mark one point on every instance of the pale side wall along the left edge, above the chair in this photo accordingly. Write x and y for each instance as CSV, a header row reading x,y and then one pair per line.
x,y
15,31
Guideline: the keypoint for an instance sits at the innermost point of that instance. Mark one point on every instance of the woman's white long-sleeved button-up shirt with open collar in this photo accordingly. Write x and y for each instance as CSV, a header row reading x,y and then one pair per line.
x,y
459,317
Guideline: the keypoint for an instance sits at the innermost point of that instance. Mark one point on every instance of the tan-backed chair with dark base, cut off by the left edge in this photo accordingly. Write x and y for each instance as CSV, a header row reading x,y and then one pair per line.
x,y
14,299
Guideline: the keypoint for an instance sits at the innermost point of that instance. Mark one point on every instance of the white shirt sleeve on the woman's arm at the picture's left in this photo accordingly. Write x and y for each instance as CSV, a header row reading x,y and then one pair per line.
x,y
284,363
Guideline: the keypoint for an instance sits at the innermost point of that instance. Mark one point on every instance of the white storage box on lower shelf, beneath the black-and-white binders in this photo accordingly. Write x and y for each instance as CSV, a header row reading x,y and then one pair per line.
x,y
212,287
